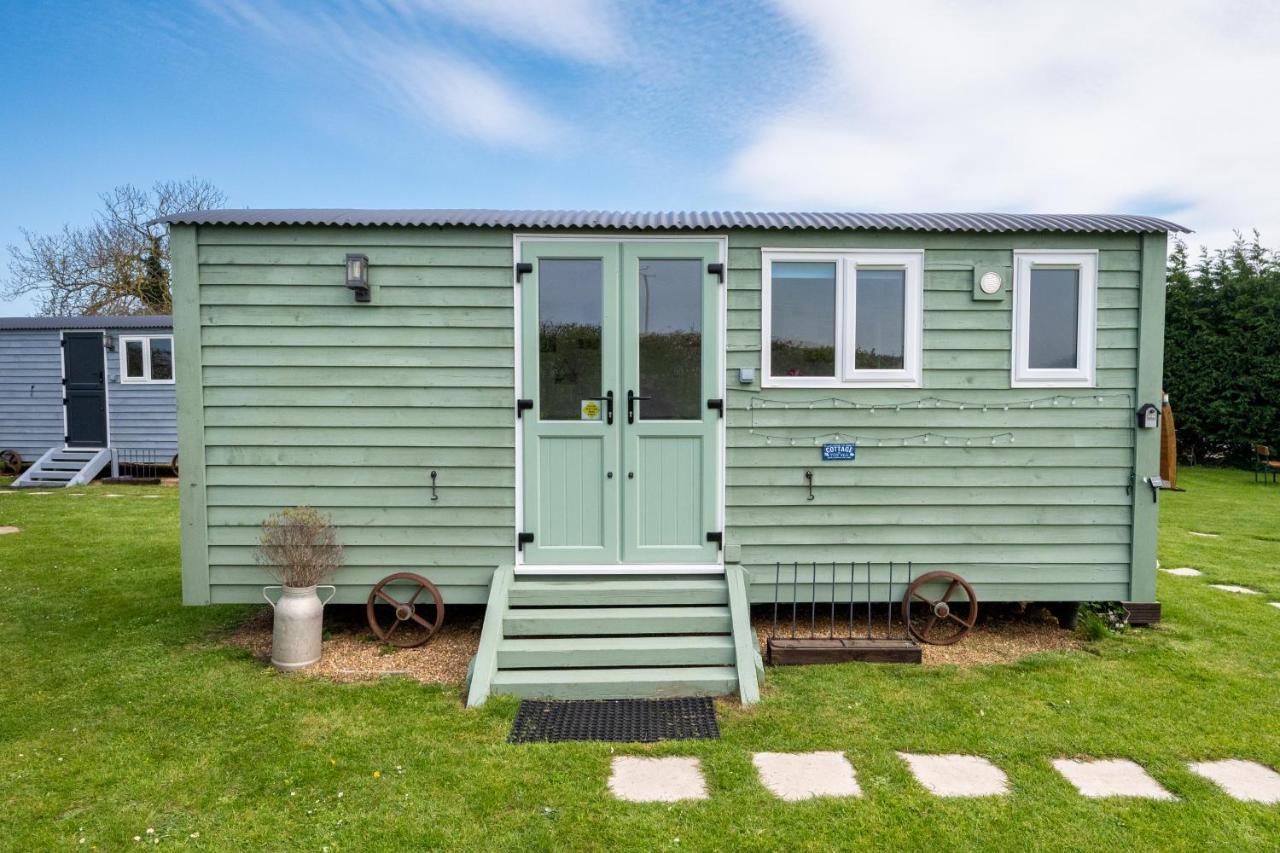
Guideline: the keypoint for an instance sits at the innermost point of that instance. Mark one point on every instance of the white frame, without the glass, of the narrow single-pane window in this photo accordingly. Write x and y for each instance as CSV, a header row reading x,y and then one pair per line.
x,y
1085,375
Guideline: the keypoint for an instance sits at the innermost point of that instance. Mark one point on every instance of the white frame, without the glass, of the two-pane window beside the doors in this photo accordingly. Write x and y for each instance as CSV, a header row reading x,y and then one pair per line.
x,y
848,262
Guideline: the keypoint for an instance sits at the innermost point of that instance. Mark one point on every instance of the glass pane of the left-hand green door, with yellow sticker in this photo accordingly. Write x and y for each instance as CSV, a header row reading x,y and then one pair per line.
x,y
570,318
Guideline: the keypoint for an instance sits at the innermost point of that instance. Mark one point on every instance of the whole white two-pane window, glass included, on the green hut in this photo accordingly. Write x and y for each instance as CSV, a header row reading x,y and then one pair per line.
x,y
842,320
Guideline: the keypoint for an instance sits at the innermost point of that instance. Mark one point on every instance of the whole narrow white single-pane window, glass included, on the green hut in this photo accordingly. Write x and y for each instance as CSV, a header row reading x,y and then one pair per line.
x,y
1055,298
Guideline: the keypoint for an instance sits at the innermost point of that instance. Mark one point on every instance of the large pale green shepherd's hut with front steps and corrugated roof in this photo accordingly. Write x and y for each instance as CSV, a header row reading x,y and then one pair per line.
x,y
620,430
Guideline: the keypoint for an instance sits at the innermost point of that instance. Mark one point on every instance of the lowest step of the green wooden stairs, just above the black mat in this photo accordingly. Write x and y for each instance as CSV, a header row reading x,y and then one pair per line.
x,y
618,685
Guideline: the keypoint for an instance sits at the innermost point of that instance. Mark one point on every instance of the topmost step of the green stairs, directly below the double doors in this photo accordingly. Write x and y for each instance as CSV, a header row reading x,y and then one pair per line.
x,y
618,594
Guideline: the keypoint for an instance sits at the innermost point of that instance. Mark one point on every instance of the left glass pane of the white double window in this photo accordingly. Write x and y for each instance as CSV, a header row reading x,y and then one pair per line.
x,y
803,320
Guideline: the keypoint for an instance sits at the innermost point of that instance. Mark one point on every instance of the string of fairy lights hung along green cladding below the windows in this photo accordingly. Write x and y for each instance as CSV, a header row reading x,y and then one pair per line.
x,y
920,440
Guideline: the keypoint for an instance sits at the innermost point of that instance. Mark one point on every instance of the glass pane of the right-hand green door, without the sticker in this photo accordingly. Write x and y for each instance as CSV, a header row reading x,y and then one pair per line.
x,y
671,340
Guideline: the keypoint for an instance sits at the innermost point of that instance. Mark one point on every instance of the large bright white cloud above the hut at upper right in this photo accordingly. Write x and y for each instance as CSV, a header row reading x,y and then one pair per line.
x,y
1090,106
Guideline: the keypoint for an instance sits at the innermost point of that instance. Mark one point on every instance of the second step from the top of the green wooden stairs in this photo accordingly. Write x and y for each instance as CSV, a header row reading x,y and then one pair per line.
x,y
584,622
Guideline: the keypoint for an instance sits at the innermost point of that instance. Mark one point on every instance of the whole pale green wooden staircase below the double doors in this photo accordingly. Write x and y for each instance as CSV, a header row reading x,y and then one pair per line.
x,y
605,637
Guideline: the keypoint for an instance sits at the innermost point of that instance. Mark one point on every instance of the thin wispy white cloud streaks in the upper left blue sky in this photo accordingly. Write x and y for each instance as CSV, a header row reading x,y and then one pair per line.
x,y
396,49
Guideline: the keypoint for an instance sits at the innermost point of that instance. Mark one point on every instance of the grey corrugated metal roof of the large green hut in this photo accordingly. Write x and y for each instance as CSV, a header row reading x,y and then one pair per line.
x,y
687,221
